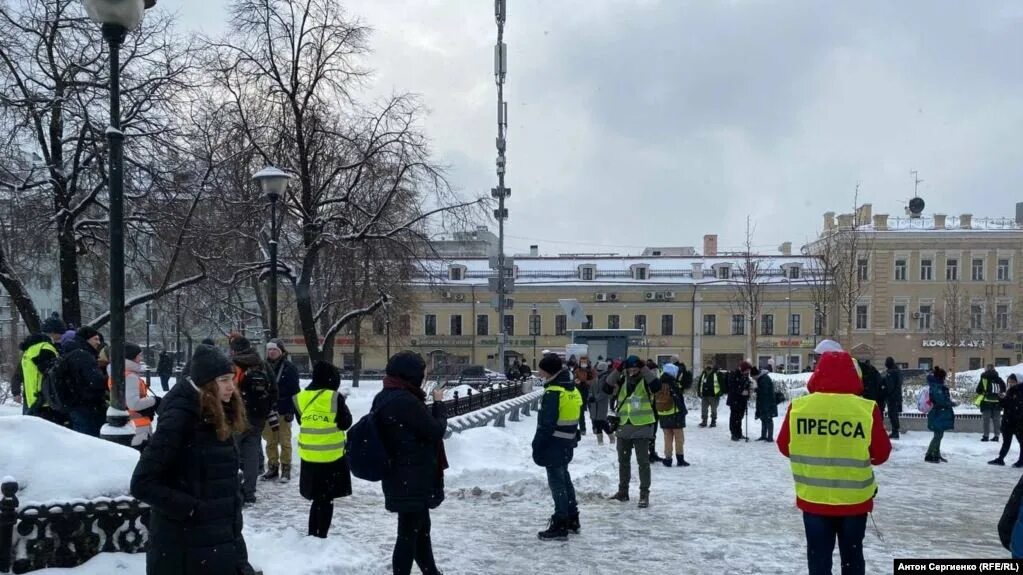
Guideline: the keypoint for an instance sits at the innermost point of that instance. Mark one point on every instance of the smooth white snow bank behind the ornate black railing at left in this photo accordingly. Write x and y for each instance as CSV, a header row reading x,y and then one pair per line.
x,y
55,465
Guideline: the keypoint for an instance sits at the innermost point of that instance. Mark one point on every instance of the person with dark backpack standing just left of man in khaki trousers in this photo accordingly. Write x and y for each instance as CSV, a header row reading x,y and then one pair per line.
x,y
259,394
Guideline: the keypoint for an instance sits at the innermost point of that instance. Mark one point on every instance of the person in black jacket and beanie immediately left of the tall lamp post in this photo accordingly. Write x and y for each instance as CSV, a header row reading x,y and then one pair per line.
x,y
83,382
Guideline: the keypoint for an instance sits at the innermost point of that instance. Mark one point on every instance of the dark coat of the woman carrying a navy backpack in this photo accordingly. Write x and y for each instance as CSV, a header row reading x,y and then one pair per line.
x,y
413,433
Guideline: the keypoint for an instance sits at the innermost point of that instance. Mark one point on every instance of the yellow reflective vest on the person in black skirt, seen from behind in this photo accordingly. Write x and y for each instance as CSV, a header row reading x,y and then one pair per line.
x,y
320,439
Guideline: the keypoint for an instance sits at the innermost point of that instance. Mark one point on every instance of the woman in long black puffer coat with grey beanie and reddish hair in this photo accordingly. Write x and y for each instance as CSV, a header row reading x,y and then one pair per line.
x,y
189,474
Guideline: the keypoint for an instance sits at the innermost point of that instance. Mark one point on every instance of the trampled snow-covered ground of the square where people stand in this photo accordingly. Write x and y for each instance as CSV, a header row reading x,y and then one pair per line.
x,y
732,513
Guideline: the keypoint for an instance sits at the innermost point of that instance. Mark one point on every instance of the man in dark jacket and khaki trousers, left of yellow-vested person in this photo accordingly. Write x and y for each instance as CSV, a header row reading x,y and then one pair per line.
x,y
279,441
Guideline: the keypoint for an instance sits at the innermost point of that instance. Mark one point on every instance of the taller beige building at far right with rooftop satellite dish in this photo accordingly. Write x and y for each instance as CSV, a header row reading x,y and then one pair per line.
x,y
907,306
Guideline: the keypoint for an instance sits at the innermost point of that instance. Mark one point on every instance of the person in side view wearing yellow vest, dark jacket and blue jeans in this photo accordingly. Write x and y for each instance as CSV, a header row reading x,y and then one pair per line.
x,y
555,443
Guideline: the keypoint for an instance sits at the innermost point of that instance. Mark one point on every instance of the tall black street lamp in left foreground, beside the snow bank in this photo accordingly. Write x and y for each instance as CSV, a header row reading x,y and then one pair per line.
x,y
117,19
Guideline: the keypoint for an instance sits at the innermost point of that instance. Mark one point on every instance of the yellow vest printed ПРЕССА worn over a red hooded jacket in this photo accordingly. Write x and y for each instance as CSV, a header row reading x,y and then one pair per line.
x,y
829,450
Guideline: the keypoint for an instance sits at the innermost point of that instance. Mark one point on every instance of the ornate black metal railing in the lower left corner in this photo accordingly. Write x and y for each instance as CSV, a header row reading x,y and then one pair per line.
x,y
68,535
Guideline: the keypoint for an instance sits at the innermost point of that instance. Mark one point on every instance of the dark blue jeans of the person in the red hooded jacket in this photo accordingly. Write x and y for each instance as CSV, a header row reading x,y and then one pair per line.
x,y
821,535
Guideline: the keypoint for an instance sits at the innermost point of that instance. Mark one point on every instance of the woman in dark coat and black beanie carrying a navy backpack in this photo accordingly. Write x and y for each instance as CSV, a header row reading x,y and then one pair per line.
x,y
414,436
